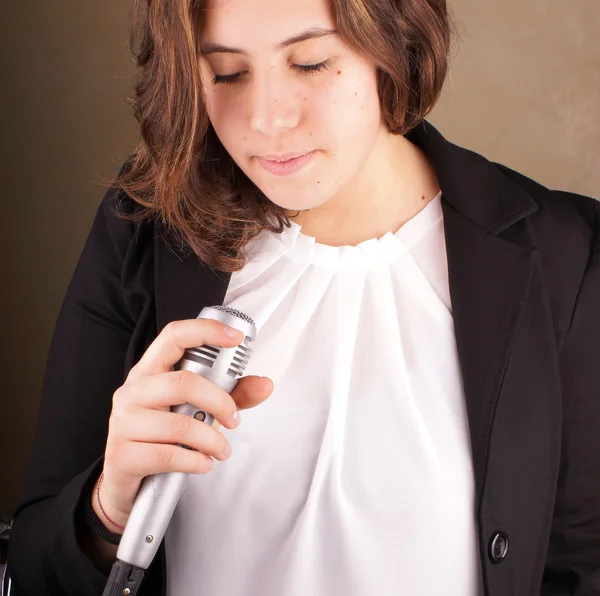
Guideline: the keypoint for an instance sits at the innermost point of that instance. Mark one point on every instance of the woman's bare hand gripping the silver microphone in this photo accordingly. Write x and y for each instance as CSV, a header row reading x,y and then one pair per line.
x,y
144,434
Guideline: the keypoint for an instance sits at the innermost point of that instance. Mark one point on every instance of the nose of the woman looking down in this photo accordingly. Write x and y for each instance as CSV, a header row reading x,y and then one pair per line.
x,y
271,105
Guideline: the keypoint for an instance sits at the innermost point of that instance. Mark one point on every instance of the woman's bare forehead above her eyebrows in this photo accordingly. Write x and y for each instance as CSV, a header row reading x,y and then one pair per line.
x,y
256,22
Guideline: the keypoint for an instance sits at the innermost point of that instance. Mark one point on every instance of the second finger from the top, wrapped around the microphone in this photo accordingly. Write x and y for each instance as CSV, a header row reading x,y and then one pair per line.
x,y
160,392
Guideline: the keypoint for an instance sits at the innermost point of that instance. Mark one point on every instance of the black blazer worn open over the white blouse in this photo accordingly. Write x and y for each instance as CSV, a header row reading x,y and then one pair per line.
x,y
524,275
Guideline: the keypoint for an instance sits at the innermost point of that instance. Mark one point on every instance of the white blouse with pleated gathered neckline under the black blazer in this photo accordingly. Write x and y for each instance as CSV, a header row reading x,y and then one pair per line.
x,y
355,476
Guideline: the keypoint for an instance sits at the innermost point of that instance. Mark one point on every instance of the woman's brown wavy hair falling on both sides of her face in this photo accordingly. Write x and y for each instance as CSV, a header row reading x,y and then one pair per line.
x,y
180,173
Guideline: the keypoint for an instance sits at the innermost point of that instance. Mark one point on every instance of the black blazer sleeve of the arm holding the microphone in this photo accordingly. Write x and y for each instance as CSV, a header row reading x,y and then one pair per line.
x,y
85,365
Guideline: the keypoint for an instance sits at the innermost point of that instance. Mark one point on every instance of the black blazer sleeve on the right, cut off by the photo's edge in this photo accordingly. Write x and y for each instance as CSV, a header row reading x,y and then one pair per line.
x,y
573,560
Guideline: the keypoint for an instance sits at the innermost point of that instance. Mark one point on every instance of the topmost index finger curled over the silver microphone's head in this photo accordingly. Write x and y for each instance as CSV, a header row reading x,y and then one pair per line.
x,y
176,337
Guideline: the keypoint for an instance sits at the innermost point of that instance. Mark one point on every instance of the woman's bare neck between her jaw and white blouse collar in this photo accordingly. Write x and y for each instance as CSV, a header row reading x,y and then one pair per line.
x,y
395,184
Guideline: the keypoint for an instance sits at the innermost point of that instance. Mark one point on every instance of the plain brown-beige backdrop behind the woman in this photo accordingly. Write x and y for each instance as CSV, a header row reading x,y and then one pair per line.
x,y
524,90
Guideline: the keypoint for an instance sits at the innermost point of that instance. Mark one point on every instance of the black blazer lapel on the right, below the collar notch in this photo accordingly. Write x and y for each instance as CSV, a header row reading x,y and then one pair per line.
x,y
489,282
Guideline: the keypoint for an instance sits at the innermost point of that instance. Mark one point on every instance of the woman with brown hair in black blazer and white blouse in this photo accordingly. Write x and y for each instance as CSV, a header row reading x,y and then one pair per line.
x,y
427,323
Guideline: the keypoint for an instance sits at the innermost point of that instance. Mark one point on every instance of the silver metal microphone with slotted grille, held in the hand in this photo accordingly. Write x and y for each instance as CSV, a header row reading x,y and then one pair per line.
x,y
158,495
